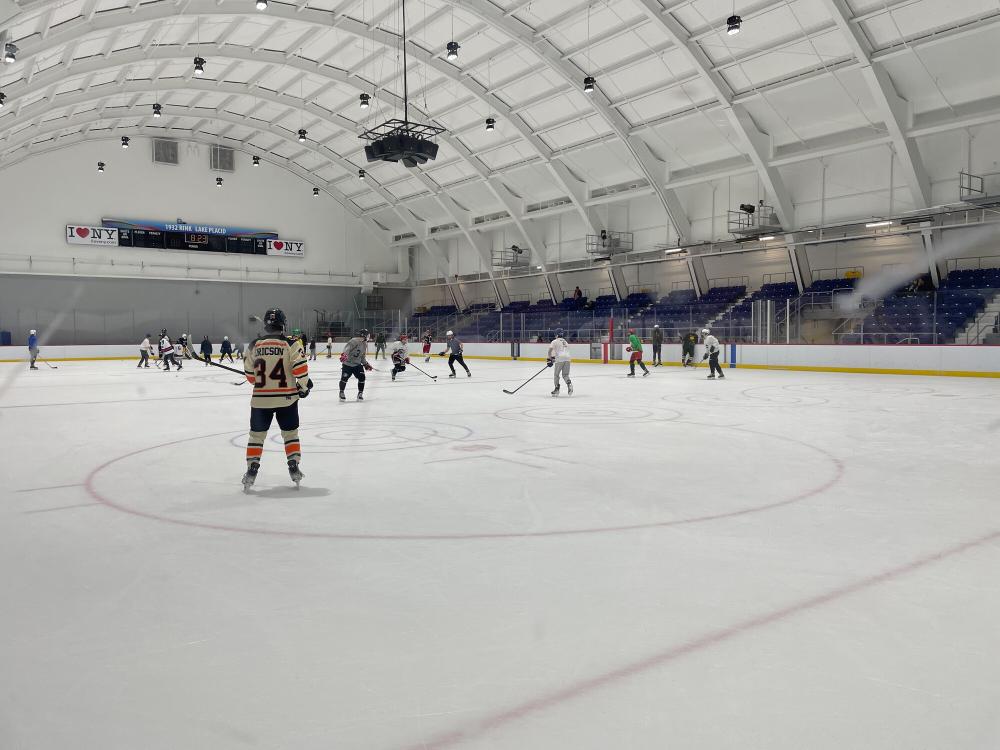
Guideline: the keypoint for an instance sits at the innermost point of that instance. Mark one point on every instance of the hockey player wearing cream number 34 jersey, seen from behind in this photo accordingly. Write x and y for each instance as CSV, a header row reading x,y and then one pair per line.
x,y
276,366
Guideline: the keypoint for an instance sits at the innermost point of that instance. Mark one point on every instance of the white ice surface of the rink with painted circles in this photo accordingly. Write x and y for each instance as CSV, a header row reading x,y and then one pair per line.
x,y
777,561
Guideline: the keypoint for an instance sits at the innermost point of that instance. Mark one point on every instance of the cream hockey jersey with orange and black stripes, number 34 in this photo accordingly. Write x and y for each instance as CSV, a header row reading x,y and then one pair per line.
x,y
276,366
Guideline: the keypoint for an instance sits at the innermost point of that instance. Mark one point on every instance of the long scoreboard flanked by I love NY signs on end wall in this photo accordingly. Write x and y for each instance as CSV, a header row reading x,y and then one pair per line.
x,y
182,236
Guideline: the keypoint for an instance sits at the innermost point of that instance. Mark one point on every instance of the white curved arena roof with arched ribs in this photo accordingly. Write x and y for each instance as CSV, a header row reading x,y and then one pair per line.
x,y
678,101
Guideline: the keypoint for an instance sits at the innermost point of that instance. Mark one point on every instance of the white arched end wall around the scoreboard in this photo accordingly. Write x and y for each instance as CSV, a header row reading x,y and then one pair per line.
x,y
44,194
